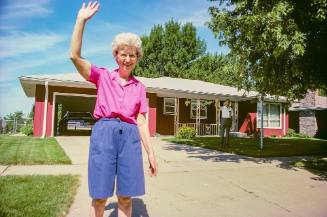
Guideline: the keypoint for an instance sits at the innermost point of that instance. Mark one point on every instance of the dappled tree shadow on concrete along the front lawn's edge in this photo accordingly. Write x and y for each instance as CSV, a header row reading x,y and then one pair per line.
x,y
221,156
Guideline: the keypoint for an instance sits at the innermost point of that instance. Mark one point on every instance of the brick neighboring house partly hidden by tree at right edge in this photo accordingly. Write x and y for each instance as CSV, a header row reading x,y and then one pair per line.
x,y
309,115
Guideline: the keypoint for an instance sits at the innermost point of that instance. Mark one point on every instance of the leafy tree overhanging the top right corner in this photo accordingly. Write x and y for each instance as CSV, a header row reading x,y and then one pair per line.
x,y
281,44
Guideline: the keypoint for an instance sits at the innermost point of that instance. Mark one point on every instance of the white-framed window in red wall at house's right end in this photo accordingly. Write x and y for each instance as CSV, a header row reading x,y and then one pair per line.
x,y
271,115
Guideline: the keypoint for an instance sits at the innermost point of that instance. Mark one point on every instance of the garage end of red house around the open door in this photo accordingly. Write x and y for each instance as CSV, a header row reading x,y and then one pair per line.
x,y
54,96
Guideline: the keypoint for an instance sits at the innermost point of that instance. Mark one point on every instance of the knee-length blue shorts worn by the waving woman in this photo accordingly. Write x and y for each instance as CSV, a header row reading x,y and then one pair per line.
x,y
115,151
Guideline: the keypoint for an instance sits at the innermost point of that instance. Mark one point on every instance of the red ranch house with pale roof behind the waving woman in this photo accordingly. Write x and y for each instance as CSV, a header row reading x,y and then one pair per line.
x,y
173,102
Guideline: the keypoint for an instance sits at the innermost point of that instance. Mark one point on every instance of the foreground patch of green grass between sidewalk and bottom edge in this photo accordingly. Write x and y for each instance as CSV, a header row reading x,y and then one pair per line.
x,y
37,196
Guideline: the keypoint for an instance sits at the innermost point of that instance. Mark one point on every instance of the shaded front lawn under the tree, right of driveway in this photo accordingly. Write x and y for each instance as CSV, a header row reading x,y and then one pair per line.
x,y
273,147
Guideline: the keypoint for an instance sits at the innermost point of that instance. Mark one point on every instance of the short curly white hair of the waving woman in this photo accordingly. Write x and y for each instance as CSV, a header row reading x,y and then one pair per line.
x,y
129,39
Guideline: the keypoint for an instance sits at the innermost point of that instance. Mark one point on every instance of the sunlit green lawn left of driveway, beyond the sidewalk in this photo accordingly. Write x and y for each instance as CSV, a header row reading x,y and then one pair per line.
x,y
30,150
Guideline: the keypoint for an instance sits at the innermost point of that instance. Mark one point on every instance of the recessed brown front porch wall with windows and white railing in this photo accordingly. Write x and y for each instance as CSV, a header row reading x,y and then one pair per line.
x,y
202,114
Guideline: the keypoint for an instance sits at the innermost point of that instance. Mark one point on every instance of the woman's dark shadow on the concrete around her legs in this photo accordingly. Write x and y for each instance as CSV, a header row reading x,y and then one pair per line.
x,y
139,208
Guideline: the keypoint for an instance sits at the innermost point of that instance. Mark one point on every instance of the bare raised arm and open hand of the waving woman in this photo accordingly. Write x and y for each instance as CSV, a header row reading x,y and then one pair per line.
x,y
85,13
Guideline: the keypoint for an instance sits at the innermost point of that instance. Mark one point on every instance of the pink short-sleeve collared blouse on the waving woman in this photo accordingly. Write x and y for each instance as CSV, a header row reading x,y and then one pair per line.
x,y
115,99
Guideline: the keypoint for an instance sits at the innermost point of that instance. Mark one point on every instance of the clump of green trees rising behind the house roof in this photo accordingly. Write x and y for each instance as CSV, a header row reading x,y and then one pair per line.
x,y
174,50
